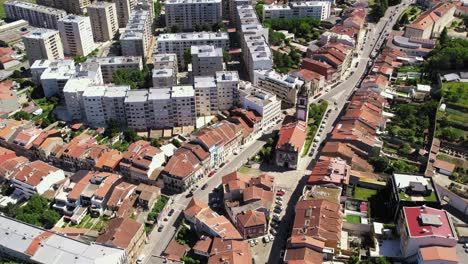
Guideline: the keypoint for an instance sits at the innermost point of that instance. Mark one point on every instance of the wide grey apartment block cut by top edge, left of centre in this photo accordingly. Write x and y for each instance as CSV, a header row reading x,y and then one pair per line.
x,y
187,14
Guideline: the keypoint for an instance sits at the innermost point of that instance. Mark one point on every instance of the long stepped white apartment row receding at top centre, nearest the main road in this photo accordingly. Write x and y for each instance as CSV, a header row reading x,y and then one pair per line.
x,y
254,41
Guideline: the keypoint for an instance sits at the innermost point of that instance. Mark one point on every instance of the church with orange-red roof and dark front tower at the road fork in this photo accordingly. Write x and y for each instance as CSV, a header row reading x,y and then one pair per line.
x,y
290,144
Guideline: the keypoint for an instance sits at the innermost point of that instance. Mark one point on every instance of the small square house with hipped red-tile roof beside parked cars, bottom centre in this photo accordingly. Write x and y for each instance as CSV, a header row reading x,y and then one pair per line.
x,y
251,224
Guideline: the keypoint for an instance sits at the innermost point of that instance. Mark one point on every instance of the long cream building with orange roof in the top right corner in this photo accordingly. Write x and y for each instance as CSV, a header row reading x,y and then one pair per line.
x,y
431,23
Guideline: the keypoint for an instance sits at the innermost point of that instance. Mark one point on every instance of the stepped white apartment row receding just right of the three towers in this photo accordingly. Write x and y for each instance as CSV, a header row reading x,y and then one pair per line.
x,y
136,38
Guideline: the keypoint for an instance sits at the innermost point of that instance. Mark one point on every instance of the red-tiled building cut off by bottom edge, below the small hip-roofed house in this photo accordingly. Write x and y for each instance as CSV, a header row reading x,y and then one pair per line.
x,y
232,252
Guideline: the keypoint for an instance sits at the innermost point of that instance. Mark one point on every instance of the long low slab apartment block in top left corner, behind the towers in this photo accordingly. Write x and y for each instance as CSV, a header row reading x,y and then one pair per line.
x,y
36,15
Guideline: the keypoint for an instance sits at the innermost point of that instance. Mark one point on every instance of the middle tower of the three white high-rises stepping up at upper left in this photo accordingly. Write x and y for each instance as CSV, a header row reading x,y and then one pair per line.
x,y
77,35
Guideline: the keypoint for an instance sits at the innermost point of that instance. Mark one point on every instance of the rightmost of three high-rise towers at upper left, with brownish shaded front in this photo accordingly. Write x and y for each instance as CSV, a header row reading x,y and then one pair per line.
x,y
104,22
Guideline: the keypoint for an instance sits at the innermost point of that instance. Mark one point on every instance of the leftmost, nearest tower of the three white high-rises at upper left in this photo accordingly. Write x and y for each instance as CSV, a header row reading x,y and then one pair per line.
x,y
43,44
